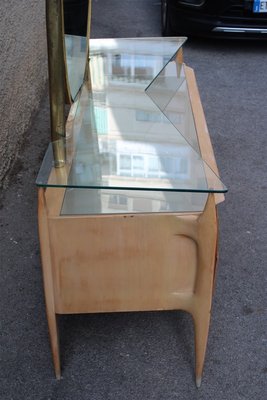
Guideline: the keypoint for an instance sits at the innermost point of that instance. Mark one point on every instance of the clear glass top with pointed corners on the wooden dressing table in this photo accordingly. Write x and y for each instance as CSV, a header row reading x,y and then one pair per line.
x,y
132,124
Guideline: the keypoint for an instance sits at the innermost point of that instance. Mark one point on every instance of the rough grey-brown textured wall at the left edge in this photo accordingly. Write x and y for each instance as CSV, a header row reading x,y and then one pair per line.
x,y
23,73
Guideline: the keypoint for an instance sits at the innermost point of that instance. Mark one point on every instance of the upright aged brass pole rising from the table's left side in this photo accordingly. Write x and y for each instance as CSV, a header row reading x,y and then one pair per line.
x,y
54,26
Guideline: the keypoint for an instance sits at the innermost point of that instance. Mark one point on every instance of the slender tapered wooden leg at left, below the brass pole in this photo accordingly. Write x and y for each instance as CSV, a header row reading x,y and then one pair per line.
x,y
48,280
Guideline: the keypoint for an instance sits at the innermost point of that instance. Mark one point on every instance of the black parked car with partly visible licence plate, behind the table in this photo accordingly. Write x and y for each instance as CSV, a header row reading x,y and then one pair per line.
x,y
238,18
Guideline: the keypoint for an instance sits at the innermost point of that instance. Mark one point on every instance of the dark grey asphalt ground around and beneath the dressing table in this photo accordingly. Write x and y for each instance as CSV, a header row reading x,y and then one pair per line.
x,y
150,355
